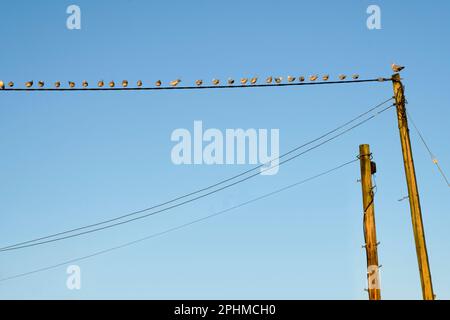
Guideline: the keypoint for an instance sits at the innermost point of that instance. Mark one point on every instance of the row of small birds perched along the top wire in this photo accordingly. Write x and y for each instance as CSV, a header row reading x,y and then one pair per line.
x,y
176,82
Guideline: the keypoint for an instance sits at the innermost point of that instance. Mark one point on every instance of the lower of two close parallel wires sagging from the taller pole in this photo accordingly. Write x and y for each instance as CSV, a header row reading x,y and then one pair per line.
x,y
32,243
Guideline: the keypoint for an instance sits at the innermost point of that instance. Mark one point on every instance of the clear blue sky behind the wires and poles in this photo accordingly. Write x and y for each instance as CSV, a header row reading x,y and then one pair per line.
x,y
68,159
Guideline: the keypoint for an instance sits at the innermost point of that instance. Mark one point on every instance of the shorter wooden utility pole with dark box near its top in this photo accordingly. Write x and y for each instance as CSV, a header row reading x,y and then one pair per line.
x,y
370,234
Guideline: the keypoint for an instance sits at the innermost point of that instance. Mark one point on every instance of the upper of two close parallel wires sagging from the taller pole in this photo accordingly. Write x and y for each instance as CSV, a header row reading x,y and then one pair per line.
x,y
199,190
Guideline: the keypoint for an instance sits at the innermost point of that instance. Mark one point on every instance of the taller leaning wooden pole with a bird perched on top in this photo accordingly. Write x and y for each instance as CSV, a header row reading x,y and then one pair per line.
x,y
413,192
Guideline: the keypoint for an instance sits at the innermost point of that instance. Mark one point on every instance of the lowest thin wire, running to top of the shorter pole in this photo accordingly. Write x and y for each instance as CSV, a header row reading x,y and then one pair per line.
x,y
154,235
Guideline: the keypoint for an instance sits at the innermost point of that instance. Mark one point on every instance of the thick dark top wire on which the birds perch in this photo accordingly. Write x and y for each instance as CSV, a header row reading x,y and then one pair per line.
x,y
6,89
